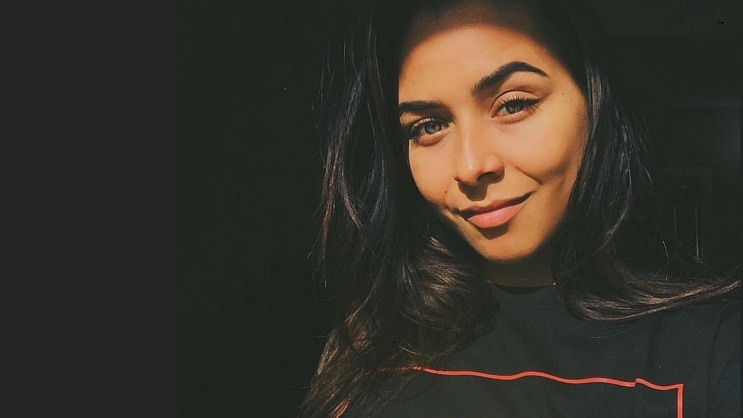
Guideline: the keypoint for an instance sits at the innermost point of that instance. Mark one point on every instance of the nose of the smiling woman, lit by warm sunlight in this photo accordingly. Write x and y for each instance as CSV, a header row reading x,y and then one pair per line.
x,y
477,160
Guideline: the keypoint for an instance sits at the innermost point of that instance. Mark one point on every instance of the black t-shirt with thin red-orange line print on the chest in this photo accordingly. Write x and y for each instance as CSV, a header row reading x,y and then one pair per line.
x,y
540,361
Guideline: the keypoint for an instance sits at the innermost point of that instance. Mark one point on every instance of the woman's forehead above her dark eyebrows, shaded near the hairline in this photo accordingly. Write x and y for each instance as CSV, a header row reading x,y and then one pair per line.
x,y
460,46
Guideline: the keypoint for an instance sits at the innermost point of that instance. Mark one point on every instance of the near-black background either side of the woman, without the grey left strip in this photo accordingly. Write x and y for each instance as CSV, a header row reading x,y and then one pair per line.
x,y
249,329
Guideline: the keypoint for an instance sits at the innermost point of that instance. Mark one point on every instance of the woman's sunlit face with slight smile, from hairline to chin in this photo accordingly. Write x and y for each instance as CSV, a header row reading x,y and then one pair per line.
x,y
496,128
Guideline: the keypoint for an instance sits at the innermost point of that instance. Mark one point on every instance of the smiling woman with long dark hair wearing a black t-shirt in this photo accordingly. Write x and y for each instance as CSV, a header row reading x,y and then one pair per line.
x,y
488,226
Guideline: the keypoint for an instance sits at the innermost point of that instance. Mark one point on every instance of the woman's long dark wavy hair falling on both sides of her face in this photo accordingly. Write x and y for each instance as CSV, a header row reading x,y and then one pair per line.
x,y
408,290
